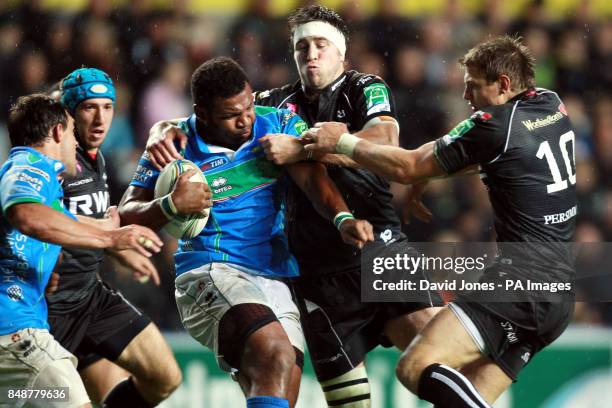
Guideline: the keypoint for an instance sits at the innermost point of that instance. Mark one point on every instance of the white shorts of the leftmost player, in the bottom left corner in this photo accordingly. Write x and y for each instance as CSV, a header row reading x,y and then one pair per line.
x,y
33,359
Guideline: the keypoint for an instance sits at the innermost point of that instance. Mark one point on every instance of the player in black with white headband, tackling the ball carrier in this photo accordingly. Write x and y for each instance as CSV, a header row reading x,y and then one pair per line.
x,y
339,329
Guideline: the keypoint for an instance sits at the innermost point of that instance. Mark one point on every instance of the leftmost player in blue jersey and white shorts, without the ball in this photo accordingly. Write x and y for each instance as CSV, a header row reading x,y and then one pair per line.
x,y
33,225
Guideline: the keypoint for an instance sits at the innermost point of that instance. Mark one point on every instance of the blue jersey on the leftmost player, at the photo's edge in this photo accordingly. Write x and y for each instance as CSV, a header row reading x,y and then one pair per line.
x,y
26,263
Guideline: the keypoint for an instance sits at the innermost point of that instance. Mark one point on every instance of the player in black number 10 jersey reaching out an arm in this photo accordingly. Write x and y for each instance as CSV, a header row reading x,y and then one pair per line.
x,y
522,139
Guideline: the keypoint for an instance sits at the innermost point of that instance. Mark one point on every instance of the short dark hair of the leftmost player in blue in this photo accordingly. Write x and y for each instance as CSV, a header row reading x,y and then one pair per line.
x,y
32,117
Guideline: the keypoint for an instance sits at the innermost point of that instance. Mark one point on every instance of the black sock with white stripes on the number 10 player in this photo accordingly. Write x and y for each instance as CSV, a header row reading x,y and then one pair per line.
x,y
448,388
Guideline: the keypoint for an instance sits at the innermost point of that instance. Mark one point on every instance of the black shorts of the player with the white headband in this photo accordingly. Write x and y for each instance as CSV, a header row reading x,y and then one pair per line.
x,y
339,328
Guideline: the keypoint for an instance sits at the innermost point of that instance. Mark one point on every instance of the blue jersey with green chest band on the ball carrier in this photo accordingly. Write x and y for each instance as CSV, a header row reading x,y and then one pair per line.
x,y
246,223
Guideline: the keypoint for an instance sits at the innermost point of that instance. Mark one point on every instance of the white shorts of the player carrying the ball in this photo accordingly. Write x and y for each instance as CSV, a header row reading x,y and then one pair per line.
x,y
205,294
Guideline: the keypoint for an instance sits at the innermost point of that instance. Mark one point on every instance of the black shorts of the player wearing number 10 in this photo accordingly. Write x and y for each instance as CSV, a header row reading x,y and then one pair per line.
x,y
513,332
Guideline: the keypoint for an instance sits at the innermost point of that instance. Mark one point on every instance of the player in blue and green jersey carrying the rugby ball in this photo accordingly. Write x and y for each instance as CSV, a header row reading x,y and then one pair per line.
x,y
229,286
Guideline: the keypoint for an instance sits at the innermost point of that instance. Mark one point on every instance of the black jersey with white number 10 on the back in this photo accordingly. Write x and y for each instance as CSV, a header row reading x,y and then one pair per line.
x,y
525,149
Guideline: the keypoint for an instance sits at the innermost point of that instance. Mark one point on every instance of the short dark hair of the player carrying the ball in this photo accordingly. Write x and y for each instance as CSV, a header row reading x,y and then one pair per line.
x,y
218,77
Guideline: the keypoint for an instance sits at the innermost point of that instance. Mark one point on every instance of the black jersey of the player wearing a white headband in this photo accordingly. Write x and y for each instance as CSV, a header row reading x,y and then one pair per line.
x,y
354,98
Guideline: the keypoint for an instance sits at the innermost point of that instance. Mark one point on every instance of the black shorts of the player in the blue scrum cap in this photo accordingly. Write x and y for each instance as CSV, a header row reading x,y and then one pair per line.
x,y
101,327
